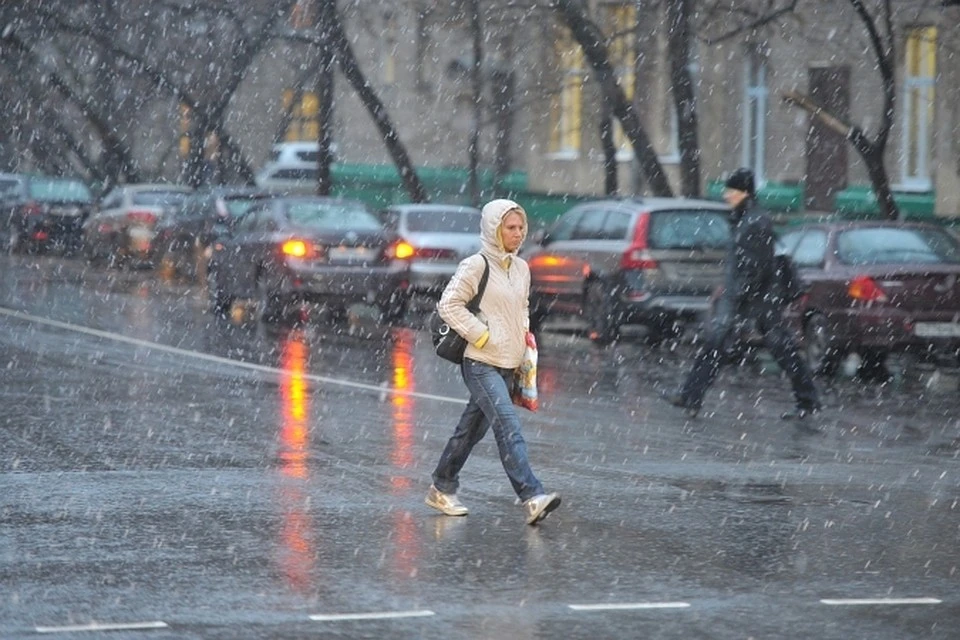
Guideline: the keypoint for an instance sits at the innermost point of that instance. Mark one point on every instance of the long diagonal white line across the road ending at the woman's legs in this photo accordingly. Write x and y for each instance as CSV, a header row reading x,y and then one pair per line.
x,y
116,337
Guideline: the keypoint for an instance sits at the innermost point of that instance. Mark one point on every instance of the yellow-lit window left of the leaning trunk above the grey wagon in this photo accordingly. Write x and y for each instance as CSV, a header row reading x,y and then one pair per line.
x,y
567,104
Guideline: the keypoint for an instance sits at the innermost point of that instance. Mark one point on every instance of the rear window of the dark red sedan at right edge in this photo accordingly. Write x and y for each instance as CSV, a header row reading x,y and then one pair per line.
x,y
897,246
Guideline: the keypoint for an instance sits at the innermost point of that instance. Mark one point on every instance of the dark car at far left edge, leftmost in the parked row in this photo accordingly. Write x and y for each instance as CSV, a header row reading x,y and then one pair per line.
x,y
39,213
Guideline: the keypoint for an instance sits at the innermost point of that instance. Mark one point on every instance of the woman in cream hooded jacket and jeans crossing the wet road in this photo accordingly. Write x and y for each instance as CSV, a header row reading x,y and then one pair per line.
x,y
496,340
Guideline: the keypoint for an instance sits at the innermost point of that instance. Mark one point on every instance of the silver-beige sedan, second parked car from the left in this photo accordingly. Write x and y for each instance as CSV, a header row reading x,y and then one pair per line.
x,y
123,229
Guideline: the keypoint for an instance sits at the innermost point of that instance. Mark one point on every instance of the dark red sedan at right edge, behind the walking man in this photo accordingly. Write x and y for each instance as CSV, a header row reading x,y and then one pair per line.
x,y
874,288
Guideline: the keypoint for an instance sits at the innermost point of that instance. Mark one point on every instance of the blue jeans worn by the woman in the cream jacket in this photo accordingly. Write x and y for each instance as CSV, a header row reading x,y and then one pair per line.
x,y
489,406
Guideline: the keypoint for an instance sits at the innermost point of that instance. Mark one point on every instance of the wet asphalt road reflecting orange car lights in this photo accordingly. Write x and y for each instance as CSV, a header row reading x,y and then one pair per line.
x,y
183,477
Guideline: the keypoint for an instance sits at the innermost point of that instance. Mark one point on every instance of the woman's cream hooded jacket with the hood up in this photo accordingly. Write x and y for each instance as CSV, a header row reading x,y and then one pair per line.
x,y
497,336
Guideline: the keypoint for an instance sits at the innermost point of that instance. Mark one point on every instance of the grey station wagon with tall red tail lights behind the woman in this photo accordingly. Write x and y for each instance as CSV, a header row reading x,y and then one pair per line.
x,y
652,261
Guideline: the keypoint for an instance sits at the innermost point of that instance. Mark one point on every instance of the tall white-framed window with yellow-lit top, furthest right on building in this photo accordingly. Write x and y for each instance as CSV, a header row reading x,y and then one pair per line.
x,y
918,108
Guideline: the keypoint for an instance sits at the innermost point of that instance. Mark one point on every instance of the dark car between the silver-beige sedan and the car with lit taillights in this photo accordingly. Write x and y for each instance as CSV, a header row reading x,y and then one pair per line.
x,y
183,238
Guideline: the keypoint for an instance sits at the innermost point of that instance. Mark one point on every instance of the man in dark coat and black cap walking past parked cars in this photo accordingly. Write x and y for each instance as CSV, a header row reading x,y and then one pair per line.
x,y
749,293
